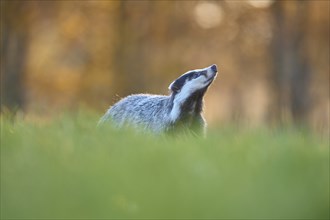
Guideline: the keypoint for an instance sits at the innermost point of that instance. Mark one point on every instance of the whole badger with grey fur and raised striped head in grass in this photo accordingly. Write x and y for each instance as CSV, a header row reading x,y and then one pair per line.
x,y
181,110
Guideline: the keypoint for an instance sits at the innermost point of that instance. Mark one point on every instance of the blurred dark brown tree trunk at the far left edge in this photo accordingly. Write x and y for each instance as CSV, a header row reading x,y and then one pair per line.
x,y
13,57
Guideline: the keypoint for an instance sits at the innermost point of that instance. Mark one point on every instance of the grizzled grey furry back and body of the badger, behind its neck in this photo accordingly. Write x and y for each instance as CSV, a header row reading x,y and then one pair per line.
x,y
149,112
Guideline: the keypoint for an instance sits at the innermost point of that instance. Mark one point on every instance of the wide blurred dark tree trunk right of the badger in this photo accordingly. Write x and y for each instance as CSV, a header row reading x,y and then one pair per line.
x,y
291,70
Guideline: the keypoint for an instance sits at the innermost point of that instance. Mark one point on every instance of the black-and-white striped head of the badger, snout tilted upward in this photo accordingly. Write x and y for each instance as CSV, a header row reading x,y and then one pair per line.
x,y
194,80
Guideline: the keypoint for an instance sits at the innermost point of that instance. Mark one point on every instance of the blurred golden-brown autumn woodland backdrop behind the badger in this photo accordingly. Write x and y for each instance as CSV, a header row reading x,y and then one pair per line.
x,y
273,56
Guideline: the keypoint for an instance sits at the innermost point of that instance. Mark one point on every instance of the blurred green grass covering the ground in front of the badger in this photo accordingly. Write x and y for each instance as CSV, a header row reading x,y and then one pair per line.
x,y
68,168
